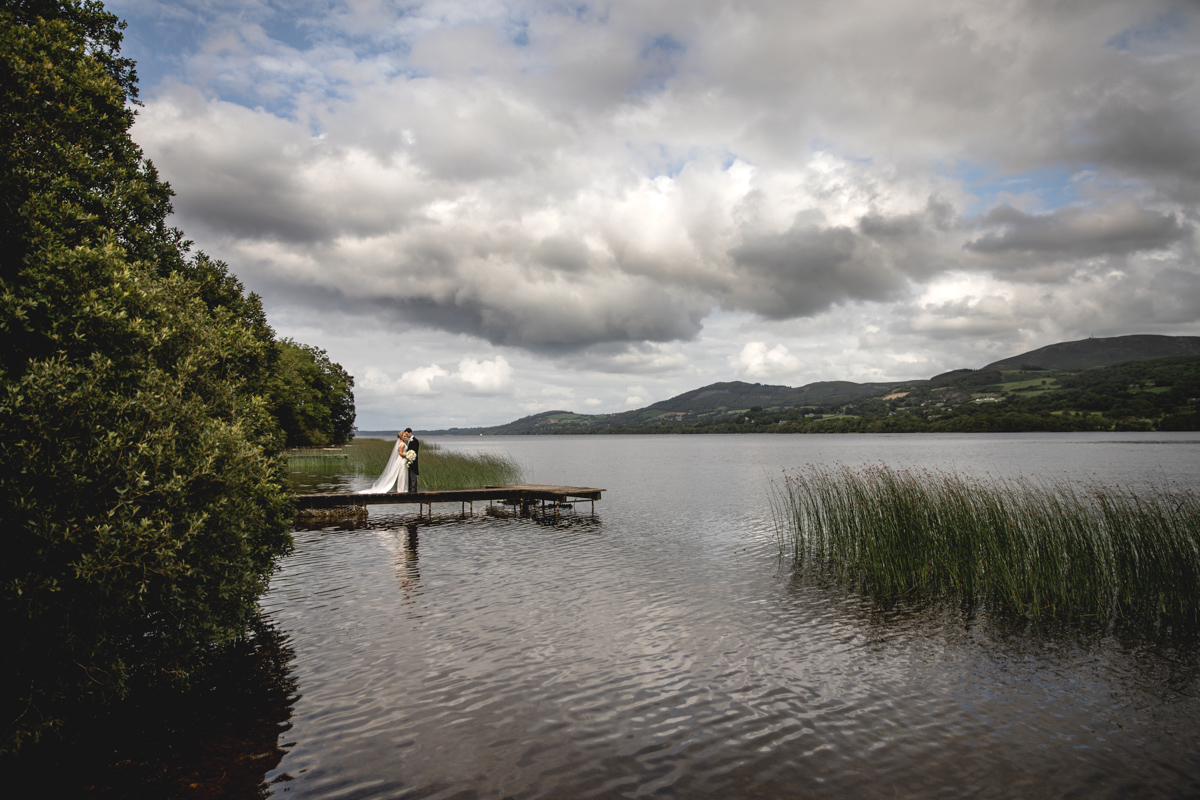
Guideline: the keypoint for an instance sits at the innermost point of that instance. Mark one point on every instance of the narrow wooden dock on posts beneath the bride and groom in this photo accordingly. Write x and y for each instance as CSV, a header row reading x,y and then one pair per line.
x,y
525,496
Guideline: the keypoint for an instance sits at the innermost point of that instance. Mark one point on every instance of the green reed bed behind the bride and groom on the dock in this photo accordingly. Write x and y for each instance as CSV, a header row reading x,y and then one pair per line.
x,y
441,470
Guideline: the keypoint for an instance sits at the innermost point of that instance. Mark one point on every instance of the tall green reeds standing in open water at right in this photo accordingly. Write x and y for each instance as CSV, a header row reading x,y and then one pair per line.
x,y
1035,548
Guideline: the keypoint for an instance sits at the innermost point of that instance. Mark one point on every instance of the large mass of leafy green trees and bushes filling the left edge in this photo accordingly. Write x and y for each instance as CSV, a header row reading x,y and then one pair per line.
x,y
142,486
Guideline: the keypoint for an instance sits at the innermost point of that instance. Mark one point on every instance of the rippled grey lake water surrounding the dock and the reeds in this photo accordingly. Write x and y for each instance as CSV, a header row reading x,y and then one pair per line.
x,y
659,648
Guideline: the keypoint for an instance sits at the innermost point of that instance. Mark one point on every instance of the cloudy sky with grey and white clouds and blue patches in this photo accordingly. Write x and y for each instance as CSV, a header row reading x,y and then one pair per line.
x,y
485,210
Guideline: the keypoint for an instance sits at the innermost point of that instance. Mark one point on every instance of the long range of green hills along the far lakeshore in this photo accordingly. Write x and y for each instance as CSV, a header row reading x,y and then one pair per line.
x,y
1088,386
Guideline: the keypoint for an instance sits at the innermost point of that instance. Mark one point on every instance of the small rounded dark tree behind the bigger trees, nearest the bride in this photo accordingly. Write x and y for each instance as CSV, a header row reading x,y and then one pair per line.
x,y
313,396
